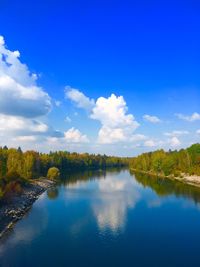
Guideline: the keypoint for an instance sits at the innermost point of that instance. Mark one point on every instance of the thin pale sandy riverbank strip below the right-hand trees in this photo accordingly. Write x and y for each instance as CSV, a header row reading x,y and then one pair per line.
x,y
193,180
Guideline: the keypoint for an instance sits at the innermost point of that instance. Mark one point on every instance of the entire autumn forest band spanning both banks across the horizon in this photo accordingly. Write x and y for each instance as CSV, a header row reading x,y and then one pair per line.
x,y
18,168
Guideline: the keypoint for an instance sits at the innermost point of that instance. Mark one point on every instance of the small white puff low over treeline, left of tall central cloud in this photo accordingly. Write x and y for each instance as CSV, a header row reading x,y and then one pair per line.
x,y
75,136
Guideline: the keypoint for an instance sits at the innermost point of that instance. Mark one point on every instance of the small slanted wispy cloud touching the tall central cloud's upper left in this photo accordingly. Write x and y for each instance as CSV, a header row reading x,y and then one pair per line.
x,y
79,98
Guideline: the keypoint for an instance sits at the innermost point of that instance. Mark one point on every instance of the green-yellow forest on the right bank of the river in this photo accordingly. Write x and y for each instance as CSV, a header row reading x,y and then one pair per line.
x,y
177,163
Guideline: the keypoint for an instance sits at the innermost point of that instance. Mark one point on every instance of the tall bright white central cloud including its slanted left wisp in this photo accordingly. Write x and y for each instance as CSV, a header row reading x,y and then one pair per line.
x,y
111,112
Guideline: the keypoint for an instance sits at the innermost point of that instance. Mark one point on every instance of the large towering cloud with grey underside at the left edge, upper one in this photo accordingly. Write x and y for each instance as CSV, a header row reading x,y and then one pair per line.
x,y
19,93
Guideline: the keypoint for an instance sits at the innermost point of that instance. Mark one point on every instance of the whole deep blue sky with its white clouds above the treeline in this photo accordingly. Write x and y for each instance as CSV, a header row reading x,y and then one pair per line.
x,y
82,52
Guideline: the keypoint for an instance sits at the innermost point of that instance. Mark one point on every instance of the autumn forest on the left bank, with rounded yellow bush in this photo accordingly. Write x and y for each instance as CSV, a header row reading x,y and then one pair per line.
x,y
18,168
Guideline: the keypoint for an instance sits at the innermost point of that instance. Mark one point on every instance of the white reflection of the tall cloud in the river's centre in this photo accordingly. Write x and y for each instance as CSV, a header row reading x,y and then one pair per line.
x,y
116,195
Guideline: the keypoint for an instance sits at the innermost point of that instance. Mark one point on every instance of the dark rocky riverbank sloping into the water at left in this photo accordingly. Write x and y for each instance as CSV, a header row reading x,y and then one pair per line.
x,y
18,205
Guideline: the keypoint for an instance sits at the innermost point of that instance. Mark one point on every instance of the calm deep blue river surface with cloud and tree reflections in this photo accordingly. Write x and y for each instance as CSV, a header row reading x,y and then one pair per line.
x,y
108,219
